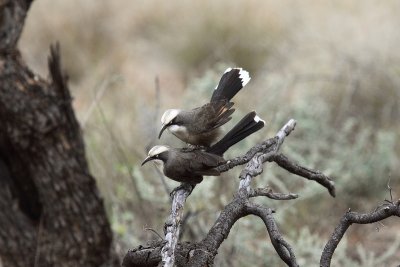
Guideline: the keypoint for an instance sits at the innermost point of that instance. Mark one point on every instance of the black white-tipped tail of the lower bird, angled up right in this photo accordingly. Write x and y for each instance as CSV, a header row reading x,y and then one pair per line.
x,y
245,127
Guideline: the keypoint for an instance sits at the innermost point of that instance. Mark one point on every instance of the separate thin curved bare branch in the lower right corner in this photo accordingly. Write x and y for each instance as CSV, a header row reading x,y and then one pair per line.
x,y
385,211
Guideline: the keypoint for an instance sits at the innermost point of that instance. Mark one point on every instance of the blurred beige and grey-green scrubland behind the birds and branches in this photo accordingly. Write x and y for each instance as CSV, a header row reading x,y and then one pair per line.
x,y
333,66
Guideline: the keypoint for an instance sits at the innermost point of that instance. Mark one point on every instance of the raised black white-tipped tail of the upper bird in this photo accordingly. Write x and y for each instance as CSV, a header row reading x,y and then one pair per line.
x,y
231,82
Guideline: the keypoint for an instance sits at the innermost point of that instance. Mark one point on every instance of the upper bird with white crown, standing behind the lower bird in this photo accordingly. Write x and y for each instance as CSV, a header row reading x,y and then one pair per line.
x,y
200,126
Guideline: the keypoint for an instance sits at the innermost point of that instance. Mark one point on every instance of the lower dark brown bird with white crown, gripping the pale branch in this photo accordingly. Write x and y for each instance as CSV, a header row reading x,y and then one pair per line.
x,y
189,165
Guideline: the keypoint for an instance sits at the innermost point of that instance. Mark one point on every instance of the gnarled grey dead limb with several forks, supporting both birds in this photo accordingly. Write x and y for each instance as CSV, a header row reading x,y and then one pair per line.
x,y
203,253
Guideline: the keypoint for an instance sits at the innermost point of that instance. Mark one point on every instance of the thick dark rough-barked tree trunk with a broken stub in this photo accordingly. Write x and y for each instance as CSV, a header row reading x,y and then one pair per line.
x,y
50,211
